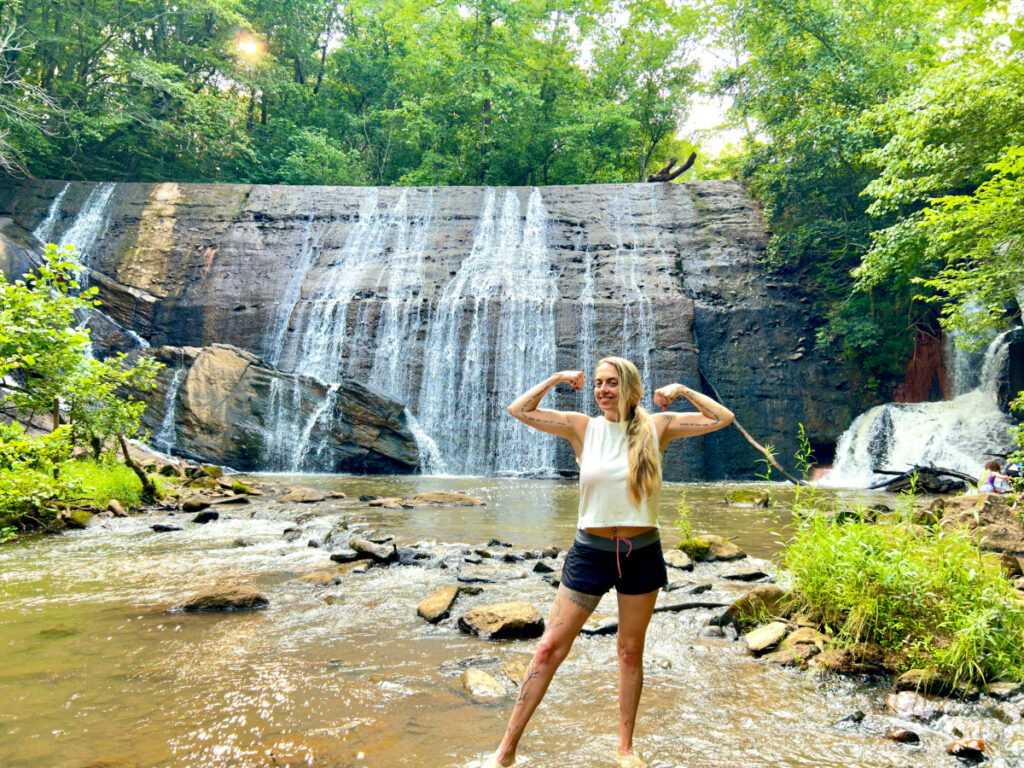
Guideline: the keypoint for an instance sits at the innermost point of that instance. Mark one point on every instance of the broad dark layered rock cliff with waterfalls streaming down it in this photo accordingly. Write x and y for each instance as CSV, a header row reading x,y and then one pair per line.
x,y
454,301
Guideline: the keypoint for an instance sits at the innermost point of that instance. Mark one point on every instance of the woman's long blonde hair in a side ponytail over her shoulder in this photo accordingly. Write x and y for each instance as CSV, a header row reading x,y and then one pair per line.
x,y
645,455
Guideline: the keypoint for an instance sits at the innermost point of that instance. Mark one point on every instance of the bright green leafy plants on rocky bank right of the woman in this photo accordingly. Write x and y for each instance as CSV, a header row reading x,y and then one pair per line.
x,y
931,596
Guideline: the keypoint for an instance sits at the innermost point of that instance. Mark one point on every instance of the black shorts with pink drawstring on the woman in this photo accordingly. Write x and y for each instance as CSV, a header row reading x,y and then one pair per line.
x,y
594,571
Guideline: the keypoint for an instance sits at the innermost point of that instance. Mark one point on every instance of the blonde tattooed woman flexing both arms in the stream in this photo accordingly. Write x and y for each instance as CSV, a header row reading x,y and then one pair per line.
x,y
618,543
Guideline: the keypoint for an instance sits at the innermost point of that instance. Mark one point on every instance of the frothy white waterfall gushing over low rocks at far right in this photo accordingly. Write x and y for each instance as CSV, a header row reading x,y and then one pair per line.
x,y
957,435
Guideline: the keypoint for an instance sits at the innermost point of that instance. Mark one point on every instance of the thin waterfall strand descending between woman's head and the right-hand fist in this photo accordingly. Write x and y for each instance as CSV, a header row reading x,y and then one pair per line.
x,y
638,316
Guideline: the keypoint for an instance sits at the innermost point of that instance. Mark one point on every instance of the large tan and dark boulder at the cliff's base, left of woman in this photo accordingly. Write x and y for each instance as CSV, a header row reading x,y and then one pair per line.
x,y
228,406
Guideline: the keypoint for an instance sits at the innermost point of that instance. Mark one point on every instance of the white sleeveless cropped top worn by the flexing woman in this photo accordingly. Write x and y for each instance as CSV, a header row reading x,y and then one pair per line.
x,y
604,468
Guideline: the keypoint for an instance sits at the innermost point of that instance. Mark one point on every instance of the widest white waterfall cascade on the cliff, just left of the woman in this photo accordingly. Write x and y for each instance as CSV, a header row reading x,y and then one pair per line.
x,y
505,293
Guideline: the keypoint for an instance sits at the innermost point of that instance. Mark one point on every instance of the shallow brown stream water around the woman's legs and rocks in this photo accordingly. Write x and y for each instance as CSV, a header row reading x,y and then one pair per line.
x,y
94,668
